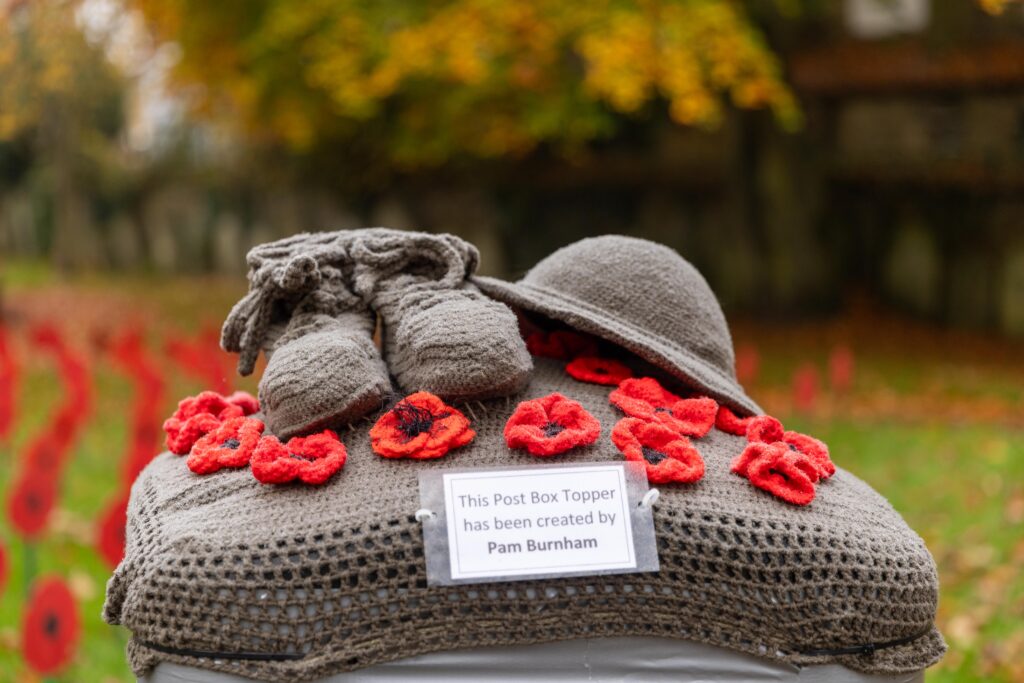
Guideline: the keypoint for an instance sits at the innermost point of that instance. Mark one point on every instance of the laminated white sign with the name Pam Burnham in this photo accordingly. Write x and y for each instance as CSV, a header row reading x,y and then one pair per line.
x,y
542,522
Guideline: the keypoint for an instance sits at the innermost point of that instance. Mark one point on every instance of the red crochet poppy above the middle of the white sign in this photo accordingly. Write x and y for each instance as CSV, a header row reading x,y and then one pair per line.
x,y
551,425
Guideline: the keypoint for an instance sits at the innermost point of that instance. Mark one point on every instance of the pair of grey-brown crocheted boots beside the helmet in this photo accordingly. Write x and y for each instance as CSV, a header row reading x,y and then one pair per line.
x,y
441,334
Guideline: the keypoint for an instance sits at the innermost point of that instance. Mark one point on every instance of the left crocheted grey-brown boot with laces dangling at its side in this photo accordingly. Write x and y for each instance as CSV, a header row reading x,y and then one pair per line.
x,y
324,369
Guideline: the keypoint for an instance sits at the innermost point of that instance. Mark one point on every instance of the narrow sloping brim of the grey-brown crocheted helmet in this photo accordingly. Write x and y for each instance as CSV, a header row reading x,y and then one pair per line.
x,y
661,352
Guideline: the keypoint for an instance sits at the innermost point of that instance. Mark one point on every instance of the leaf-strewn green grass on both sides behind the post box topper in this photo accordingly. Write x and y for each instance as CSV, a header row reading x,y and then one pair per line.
x,y
961,487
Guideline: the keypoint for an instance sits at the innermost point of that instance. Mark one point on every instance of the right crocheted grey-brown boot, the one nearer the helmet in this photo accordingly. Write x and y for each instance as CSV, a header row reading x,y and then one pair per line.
x,y
441,334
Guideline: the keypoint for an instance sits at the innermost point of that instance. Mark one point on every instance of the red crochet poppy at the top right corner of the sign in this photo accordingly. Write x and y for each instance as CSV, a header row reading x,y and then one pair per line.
x,y
668,456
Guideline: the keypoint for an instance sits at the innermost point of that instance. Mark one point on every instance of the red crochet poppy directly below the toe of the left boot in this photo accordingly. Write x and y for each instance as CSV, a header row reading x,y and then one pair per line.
x,y
312,460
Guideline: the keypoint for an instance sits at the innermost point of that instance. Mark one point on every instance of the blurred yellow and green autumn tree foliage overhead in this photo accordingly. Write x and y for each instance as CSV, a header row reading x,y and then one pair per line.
x,y
418,83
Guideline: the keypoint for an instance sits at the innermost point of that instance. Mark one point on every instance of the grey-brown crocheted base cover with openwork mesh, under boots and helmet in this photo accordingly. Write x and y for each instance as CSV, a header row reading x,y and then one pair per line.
x,y
332,579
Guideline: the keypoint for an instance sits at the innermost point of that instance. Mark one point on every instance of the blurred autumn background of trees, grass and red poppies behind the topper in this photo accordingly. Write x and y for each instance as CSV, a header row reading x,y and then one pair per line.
x,y
847,175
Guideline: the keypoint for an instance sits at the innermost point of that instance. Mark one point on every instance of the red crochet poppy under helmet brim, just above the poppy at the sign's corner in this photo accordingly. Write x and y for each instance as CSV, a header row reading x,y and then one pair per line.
x,y
647,400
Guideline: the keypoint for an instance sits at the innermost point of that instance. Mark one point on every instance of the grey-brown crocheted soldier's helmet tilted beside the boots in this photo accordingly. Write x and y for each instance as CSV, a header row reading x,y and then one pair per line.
x,y
643,296
